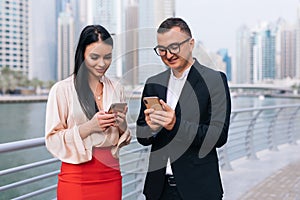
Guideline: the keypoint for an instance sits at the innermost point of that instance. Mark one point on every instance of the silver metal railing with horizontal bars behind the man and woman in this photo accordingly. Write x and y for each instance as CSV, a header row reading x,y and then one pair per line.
x,y
251,130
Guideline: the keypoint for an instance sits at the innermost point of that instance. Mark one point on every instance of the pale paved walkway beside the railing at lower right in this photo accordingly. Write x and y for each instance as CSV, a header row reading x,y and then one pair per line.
x,y
274,176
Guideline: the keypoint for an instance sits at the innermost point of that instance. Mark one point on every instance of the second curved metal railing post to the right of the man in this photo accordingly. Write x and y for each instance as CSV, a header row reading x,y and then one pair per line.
x,y
251,154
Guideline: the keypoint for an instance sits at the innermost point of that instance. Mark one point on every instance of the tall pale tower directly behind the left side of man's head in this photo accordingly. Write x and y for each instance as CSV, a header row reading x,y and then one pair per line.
x,y
151,14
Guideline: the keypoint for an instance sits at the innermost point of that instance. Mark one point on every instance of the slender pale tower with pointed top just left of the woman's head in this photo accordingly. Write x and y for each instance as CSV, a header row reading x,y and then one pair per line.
x,y
65,61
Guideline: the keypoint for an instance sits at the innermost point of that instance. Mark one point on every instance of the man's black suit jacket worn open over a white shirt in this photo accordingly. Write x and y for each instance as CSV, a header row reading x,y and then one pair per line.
x,y
202,122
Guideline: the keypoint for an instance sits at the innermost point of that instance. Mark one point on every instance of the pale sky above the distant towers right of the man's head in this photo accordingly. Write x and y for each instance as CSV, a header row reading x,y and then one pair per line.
x,y
215,22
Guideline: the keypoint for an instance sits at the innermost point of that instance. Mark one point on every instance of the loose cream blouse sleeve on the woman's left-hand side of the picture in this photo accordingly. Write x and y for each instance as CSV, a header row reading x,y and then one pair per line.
x,y
61,132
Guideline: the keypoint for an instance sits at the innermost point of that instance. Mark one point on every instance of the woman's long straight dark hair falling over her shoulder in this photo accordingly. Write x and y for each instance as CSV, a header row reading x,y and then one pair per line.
x,y
89,34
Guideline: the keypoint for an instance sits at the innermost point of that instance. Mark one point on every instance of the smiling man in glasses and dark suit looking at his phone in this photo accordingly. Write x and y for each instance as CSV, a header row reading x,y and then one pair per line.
x,y
183,162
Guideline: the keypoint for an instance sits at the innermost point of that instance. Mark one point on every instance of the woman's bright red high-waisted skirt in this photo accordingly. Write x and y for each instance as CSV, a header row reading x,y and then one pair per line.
x,y
99,178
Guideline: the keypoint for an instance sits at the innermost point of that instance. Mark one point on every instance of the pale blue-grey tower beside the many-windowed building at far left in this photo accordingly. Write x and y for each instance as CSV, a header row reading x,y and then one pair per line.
x,y
43,39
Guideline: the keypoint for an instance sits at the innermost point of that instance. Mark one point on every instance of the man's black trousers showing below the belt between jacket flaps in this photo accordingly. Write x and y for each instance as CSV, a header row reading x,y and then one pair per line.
x,y
170,191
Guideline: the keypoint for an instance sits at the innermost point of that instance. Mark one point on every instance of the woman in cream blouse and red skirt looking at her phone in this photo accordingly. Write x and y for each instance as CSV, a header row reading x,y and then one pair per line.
x,y
80,131
